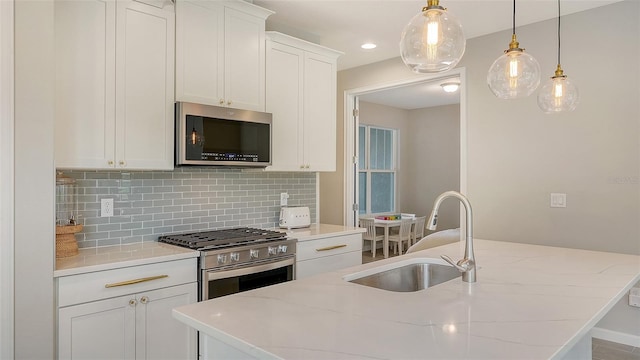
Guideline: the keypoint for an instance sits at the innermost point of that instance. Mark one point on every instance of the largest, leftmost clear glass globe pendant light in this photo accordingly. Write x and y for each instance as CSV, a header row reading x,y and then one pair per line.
x,y
433,40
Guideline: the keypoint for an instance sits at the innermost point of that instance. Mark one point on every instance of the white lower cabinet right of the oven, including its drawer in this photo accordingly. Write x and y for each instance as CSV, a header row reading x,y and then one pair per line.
x,y
327,254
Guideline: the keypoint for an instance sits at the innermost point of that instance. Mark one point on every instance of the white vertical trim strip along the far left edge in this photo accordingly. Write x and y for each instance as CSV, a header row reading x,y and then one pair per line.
x,y
6,180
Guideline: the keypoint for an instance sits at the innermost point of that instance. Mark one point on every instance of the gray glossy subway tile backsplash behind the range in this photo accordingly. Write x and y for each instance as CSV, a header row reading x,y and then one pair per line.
x,y
148,204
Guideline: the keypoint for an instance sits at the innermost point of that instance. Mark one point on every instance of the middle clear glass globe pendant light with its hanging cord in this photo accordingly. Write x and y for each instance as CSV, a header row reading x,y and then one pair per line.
x,y
515,74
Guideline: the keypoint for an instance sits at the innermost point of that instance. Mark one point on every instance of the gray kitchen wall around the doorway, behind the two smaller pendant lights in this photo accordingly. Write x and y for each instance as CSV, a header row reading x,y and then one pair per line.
x,y
517,155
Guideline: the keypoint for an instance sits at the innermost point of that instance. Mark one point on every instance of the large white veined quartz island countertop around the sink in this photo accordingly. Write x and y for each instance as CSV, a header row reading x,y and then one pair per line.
x,y
530,301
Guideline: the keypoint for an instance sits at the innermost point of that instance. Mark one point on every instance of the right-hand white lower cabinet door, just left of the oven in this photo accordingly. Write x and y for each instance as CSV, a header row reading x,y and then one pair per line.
x,y
158,334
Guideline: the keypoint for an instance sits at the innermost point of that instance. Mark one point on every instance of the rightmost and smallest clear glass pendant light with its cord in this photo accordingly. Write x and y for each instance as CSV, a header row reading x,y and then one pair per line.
x,y
558,93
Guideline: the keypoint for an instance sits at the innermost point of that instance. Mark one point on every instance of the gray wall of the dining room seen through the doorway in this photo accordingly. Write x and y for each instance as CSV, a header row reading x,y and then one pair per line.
x,y
429,156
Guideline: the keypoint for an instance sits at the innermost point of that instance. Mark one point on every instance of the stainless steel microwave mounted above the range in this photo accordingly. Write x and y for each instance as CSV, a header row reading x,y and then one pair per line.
x,y
222,136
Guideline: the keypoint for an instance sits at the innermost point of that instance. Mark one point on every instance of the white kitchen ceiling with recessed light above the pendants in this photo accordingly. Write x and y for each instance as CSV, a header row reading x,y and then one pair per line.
x,y
345,25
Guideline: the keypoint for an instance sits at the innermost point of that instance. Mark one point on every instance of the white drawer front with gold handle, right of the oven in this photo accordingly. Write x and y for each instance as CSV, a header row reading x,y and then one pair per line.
x,y
328,246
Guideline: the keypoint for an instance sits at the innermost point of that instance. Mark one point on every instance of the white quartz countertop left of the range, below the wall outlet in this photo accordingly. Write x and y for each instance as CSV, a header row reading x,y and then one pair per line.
x,y
112,257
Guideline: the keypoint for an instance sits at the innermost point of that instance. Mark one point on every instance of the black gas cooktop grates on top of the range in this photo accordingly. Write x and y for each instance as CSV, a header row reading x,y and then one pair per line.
x,y
217,239
